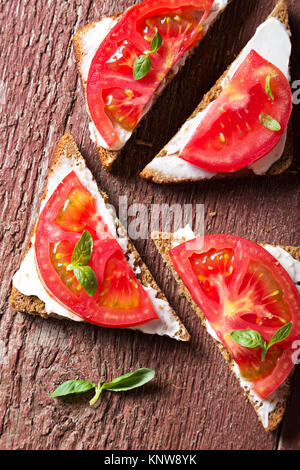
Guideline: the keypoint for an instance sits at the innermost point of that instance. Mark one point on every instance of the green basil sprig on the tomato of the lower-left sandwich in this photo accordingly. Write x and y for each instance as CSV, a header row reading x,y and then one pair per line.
x,y
81,256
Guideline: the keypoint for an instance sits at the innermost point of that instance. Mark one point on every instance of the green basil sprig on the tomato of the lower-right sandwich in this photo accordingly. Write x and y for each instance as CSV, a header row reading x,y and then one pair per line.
x,y
253,339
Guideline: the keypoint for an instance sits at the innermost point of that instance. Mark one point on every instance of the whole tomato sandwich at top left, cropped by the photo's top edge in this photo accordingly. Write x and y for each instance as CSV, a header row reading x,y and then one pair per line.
x,y
125,61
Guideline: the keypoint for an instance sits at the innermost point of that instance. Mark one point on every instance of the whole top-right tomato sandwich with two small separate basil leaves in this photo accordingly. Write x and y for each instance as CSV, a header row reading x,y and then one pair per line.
x,y
241,127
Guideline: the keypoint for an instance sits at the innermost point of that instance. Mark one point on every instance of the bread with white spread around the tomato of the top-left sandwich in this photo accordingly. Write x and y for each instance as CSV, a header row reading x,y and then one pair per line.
x,y
86,42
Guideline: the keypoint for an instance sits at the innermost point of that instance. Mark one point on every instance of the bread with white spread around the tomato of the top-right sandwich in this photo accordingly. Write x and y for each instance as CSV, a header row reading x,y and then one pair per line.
x,y
167,167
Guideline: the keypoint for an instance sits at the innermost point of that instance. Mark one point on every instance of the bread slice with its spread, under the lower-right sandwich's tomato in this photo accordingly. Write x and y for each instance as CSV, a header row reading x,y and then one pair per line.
x,y
272,413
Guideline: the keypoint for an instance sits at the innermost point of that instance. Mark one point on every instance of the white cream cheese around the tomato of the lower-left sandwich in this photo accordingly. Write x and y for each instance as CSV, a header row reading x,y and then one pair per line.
x,y
27,281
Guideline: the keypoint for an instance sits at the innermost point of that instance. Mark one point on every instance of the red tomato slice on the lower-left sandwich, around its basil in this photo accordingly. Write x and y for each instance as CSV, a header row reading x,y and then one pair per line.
x,y
120,300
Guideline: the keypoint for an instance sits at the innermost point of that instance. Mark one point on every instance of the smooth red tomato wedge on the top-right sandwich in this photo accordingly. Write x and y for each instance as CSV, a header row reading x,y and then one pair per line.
x,y
232,136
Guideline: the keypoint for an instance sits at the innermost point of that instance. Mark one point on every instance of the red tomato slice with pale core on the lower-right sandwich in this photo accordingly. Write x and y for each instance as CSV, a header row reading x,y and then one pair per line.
x,y
239,285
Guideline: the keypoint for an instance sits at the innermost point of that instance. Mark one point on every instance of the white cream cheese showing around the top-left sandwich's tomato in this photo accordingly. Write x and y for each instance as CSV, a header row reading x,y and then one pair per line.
x,y
90,42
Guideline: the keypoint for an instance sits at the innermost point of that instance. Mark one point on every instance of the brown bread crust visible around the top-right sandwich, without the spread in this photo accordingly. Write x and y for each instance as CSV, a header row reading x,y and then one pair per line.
x,y
281,13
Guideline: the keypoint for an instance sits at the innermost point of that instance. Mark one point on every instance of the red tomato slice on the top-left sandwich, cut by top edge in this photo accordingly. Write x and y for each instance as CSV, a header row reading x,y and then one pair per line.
x,y
114,97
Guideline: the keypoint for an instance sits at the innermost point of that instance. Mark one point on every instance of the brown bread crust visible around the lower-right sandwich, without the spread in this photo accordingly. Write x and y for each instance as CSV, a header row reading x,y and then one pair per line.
x,y
163,242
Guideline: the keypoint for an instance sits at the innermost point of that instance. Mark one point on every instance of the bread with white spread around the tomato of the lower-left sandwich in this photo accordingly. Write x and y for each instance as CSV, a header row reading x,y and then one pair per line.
x,y
28,294
